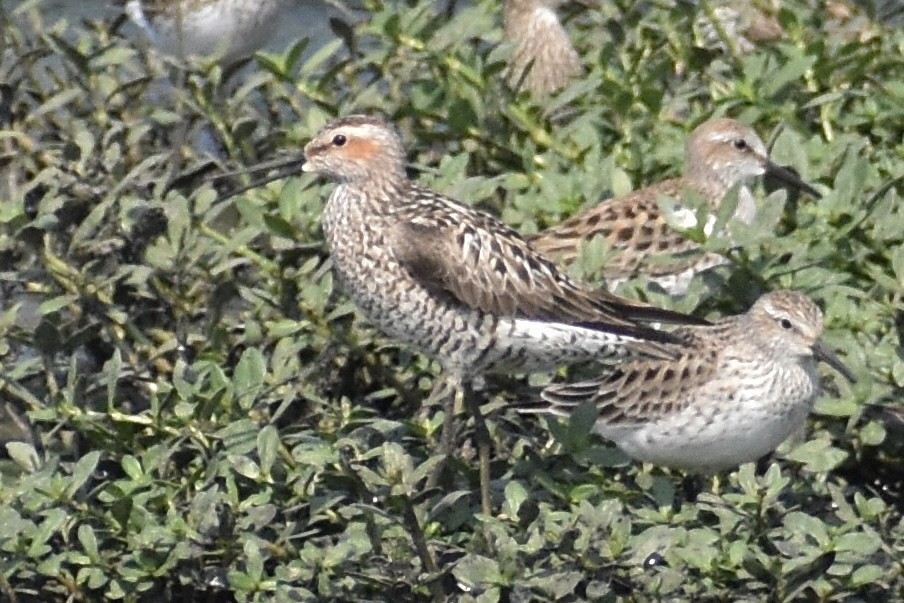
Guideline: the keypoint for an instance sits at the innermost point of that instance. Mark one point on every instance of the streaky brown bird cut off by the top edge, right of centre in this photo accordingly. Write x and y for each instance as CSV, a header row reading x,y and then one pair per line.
x,y
543,47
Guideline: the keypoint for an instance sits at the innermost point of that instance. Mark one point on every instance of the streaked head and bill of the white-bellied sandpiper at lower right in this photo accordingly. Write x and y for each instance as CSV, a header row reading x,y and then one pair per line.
x,y
791,324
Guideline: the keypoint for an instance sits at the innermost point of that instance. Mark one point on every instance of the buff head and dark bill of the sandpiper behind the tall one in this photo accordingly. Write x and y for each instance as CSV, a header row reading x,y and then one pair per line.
x,y
729,151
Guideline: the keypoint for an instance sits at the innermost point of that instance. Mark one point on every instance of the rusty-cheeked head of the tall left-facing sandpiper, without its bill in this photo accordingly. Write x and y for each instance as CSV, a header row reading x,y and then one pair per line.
x,y
355,150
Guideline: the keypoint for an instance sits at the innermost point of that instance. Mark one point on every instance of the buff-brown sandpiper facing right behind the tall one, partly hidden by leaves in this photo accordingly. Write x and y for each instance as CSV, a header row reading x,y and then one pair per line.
x,y
720,154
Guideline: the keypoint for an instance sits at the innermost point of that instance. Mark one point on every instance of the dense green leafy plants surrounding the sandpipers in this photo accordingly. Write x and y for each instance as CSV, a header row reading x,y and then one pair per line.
x,y
191,413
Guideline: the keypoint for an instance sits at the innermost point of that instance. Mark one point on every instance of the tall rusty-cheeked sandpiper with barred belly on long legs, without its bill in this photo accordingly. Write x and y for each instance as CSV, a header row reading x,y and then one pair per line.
x,y
456,283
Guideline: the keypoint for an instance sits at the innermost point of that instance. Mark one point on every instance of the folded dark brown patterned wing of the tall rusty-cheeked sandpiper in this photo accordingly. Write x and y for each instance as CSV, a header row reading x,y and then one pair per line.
x,y
478,261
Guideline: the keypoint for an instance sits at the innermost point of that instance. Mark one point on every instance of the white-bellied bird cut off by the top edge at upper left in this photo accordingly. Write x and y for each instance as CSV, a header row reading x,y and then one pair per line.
x,y
226,29
